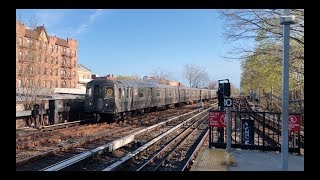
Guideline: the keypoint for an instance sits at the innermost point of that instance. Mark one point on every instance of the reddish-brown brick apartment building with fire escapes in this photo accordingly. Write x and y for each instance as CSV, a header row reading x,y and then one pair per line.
x,y
45,61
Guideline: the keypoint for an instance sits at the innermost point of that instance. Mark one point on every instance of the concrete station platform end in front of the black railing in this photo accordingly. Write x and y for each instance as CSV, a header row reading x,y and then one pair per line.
x,y
211,159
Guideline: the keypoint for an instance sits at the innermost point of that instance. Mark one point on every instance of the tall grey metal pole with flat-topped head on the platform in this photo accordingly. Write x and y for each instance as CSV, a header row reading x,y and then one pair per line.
x,y
285,20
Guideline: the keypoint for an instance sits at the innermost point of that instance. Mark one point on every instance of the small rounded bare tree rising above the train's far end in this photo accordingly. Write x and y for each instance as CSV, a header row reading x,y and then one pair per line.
x,y
195,75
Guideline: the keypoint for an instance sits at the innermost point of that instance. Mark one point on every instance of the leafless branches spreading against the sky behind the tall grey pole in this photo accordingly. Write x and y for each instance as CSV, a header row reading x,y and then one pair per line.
x,y
262,26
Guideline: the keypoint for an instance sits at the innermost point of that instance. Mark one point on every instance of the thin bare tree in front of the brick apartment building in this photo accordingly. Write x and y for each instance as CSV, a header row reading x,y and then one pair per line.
x,y
31,65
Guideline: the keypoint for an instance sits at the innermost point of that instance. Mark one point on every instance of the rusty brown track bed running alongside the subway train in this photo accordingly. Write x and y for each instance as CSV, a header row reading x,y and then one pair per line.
x,y
38,143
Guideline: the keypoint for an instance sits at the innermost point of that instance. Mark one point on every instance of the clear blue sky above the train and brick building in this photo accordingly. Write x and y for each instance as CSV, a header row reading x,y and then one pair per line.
x,y
138,41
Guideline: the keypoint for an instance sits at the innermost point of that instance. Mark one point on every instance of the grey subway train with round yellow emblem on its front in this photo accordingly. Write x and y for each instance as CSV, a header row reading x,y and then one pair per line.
x,y
118,99
